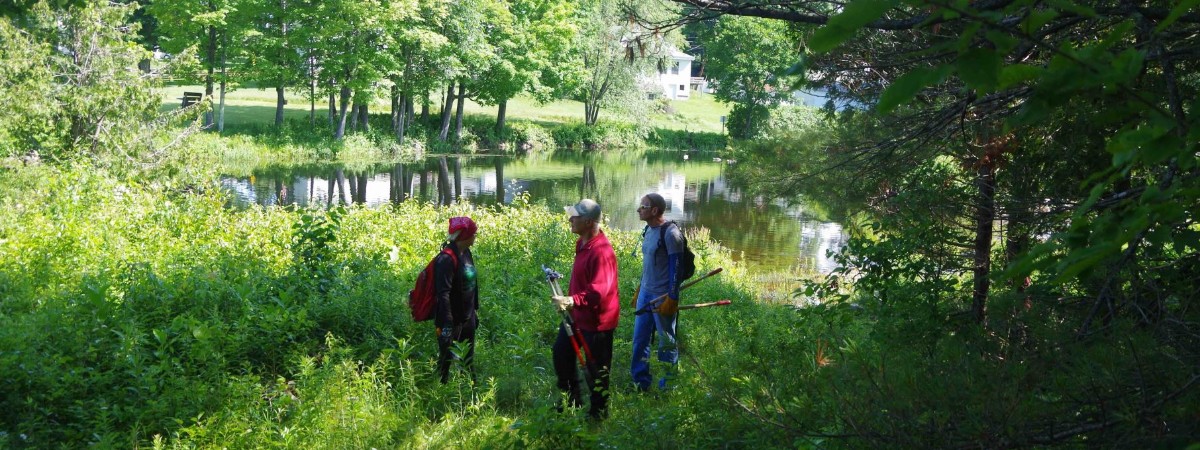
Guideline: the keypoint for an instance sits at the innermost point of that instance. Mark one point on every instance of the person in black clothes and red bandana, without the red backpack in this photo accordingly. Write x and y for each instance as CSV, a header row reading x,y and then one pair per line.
x,y
457,287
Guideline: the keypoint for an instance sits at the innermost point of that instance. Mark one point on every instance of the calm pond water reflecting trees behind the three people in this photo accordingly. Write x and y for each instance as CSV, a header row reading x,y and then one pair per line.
x,y
764,233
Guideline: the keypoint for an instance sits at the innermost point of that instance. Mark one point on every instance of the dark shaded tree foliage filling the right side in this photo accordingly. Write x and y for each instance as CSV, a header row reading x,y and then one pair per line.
x,y
1024,182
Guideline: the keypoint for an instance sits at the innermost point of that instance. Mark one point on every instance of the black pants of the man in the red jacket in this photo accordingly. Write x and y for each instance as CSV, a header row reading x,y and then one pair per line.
x,y
566,363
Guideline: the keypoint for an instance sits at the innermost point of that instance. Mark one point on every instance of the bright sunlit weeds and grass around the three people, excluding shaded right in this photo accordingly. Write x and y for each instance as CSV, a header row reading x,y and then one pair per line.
x,y
183,325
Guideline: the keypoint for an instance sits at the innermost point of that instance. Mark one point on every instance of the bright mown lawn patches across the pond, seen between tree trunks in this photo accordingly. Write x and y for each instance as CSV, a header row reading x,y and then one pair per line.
x,y
251,105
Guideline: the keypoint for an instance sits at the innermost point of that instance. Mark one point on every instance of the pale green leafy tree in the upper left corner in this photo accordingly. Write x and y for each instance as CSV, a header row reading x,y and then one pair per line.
x,y
76,88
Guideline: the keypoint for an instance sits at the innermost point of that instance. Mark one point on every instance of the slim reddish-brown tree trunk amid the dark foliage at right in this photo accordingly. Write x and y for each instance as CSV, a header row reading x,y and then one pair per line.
x,y
985,217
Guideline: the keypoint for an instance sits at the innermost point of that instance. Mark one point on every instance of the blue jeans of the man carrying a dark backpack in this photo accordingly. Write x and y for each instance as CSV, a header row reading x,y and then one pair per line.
x,y
645,328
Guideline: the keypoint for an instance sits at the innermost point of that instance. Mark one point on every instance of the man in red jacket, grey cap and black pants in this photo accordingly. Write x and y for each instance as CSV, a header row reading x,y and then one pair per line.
x,y
595,305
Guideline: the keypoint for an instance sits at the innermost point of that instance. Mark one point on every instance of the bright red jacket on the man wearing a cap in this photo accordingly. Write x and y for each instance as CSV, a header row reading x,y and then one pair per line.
x,y
595,285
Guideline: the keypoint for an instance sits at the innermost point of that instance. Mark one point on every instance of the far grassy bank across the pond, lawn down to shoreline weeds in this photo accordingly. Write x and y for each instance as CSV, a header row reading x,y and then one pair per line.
x,y
686,125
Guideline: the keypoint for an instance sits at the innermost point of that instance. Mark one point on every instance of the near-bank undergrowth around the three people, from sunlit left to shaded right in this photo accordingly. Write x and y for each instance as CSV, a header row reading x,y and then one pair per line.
x,y
134,314
